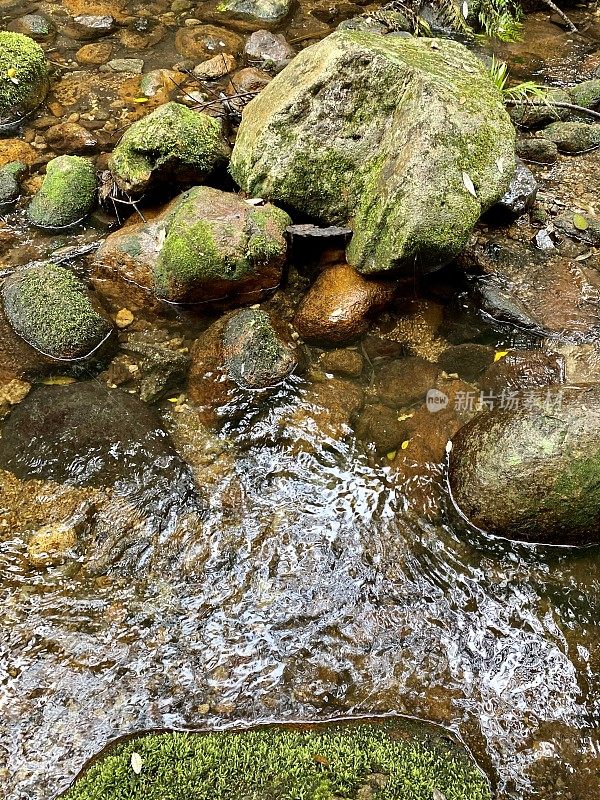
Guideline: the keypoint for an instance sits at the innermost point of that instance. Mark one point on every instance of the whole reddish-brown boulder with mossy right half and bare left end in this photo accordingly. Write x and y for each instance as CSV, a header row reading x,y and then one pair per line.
x,y
207,245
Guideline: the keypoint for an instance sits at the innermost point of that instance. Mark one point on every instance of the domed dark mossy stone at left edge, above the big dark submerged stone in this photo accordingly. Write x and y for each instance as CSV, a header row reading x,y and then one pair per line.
x,y
51,309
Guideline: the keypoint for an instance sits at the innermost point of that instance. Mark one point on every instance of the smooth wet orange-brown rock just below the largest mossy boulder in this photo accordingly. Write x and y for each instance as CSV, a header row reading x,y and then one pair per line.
x,y
338,306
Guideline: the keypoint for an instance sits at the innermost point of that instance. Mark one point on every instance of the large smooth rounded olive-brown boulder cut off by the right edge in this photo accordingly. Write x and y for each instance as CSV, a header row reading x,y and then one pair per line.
x,y
531,471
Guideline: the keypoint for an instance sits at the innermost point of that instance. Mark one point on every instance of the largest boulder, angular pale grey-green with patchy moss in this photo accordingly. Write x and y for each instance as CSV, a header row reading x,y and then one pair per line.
x,y
406,139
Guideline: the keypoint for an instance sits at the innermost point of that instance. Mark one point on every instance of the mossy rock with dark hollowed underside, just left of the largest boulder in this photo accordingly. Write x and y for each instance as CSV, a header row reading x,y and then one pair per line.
x,y
173,144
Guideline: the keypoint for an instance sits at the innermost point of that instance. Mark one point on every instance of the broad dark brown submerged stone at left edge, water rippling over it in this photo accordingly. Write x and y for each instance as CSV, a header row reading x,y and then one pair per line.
x,y
84,434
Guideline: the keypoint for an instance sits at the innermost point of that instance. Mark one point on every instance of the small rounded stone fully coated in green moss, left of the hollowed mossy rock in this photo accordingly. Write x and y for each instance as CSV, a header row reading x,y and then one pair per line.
x,y
67,194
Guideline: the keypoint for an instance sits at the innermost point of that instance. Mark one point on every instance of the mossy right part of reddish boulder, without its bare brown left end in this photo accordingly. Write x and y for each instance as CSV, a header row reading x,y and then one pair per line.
x,y
215,244
